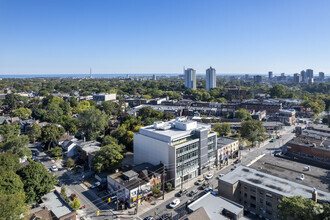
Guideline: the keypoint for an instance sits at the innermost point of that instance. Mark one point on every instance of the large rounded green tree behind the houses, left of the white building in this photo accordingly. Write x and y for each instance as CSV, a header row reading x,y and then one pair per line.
x,y
91,122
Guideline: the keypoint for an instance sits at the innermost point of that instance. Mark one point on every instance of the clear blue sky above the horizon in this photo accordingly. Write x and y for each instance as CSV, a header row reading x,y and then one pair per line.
x,y
162,36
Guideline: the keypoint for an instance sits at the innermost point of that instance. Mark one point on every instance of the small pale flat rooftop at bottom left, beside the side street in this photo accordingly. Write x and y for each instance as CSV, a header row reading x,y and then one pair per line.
x,y
54,202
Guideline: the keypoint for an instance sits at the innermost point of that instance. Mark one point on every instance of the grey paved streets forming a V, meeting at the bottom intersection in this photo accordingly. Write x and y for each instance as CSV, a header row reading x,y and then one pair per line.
x,y
94,203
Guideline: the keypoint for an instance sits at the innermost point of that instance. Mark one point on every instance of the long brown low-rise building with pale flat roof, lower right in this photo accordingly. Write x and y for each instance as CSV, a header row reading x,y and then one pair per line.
x,y
260,193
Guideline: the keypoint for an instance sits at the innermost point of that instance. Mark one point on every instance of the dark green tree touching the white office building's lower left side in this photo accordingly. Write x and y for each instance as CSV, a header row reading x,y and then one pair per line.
x,y
108,158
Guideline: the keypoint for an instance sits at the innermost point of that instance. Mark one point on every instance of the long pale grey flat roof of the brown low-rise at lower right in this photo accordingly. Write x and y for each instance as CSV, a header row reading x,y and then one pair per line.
x,y
271,183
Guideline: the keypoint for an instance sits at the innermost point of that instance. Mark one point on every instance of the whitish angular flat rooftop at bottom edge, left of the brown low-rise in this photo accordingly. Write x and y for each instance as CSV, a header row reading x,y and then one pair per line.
x,y
213,206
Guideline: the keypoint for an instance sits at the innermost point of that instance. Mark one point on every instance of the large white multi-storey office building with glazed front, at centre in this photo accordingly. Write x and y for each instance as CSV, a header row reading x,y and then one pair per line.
x,y
187,148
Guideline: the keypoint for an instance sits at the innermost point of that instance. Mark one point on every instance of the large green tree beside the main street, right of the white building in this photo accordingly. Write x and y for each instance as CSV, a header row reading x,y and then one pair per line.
x,y
252,130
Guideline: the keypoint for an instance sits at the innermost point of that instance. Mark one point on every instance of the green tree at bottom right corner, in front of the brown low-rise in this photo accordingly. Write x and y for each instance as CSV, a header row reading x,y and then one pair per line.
x,y
297,207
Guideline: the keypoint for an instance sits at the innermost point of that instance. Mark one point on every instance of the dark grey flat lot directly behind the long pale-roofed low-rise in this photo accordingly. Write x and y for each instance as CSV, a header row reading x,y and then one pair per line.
x,y
290,170
